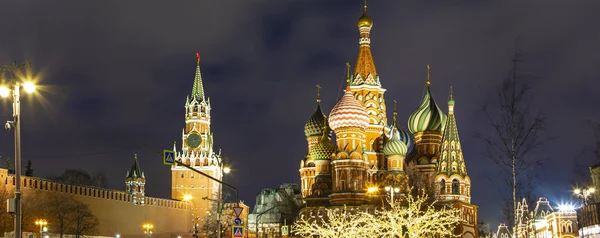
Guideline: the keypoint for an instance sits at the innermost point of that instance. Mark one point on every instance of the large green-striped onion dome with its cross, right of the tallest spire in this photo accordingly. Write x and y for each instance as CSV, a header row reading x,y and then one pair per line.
x,y
428,116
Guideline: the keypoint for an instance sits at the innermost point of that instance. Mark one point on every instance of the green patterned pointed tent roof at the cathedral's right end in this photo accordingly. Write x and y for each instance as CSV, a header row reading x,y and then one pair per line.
x,y
451,150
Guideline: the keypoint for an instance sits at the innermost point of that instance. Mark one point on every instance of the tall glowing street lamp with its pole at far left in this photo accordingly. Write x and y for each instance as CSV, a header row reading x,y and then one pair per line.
x,y
16,84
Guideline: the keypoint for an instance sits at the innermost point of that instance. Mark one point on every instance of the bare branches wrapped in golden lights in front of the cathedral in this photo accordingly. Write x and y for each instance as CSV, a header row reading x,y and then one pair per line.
x,y
412,217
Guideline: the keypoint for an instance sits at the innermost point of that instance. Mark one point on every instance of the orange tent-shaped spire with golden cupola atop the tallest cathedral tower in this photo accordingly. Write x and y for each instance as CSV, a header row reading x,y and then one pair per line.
x,y
364,71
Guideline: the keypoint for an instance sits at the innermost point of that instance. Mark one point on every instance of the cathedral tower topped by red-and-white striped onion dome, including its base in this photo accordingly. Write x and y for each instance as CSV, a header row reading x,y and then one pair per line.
x,y
349,120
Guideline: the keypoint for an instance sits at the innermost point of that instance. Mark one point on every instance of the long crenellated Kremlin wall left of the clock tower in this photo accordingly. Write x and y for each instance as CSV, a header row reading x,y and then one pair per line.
x,y
115,210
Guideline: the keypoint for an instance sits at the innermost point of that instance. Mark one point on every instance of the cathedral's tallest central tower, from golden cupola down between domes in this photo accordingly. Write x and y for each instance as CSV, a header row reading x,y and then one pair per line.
x,y
366,88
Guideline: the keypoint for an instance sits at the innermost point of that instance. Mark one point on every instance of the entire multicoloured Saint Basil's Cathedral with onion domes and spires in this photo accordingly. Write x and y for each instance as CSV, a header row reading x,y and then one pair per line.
x,y
369,152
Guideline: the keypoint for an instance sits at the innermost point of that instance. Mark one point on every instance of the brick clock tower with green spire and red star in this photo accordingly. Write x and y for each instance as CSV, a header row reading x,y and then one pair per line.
x,y
197,152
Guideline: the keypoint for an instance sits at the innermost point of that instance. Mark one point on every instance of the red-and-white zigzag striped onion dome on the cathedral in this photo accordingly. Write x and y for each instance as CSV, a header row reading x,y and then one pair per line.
x,y
348,113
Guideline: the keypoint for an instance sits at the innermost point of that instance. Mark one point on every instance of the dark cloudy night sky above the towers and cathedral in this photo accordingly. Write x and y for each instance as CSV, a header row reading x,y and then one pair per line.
x,y
116,74
